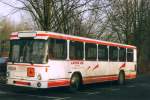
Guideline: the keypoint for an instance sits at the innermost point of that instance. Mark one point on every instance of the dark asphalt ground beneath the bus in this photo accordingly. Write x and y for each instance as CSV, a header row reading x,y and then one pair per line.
x,y
138,89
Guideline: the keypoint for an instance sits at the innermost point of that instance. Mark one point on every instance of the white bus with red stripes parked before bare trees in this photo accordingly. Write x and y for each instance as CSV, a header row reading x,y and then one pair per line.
x,y
43,59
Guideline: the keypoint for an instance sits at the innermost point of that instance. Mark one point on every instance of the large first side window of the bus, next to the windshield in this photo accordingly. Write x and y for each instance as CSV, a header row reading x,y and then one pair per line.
x,y
57,49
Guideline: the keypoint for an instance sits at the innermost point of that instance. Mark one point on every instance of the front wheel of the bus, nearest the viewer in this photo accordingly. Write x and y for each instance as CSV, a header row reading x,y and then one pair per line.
x,y
75,82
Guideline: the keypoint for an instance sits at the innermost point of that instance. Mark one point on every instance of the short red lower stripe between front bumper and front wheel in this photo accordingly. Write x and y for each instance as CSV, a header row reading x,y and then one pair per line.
x,y
59,83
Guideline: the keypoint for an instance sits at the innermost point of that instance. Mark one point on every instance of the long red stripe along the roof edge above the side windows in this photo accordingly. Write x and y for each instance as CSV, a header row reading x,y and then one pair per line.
x,y
84,40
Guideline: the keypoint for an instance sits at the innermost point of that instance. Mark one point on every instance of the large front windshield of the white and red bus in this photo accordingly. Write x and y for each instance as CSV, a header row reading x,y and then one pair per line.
x,y
28,51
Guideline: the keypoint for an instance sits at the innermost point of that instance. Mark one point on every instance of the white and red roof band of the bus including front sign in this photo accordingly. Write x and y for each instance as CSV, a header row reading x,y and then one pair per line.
x,y
45,35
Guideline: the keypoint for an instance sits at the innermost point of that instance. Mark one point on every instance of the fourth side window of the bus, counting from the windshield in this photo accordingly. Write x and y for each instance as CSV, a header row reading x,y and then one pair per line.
x,y
102,53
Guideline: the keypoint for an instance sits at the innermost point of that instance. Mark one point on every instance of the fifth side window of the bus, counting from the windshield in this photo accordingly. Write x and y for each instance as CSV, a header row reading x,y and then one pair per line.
x,y
113,53
